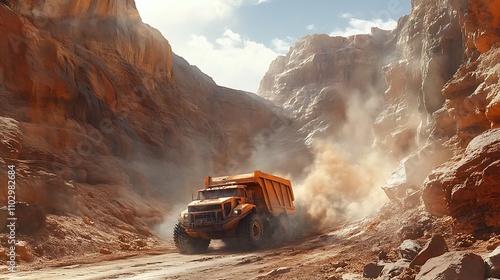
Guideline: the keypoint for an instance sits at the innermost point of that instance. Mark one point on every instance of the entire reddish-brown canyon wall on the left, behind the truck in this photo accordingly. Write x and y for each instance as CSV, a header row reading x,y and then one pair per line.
x,y
106,125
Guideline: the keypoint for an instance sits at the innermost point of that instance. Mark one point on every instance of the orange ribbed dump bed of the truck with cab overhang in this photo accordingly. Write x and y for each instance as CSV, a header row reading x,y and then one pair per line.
x,y
272,192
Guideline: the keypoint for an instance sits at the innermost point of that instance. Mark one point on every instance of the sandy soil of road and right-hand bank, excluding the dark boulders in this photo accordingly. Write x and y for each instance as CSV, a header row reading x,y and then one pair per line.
x,y
336,253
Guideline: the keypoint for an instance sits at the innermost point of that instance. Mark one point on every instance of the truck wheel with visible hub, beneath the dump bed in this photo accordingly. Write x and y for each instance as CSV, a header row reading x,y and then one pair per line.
x,y
251,232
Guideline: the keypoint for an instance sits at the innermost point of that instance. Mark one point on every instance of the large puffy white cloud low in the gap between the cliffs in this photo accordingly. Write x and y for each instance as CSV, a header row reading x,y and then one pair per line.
x,y
231,60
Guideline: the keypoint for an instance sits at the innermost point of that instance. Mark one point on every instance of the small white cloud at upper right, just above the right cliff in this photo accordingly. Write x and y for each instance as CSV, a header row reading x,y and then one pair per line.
x,y
362,26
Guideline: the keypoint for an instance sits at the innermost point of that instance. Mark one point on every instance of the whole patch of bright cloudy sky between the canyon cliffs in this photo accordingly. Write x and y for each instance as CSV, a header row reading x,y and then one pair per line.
x,y
235,41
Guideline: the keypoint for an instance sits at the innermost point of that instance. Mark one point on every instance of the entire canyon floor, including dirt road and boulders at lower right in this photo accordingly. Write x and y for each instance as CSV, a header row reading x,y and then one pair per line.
x,y
395,243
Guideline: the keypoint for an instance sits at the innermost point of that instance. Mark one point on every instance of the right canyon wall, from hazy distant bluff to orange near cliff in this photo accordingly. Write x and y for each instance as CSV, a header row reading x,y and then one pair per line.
x,y
440,87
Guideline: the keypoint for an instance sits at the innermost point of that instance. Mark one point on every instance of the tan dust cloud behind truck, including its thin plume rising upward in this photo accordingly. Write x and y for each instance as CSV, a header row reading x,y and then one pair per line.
x,y
345,179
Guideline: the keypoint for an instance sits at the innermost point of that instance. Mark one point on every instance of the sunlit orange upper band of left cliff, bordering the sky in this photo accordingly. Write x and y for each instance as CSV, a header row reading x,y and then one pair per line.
x,y
101,25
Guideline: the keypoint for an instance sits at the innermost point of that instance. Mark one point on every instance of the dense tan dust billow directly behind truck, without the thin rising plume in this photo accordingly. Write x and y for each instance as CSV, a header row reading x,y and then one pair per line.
x,y
339,187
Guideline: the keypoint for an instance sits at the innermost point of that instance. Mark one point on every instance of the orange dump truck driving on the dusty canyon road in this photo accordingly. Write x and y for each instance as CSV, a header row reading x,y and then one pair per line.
x,y
249,207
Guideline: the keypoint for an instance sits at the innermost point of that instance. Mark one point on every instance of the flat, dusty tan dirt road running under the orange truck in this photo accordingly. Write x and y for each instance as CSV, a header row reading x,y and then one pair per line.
x,y
316,257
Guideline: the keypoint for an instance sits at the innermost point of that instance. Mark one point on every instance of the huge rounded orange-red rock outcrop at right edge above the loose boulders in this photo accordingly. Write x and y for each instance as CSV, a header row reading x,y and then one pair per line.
x,y
467,188
